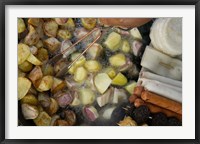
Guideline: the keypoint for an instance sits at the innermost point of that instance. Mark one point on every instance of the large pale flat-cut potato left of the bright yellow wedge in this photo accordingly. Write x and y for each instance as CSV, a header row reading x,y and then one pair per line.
x,y
102,81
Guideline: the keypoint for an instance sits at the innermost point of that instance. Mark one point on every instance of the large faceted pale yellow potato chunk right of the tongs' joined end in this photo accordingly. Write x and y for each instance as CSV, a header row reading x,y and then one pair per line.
x,y
113,41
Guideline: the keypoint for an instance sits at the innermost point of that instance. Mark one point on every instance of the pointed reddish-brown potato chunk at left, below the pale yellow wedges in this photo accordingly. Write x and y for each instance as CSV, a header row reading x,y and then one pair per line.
x,y
35,74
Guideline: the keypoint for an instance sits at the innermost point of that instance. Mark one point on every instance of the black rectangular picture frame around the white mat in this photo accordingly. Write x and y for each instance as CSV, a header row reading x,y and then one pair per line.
x,y
4,3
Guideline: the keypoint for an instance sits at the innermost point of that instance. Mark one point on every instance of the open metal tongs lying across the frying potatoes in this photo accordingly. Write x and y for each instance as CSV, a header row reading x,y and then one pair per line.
x,y
57,57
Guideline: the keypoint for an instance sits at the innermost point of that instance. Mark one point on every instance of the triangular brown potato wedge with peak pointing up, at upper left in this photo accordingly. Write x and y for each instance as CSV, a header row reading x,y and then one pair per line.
x,y
32,37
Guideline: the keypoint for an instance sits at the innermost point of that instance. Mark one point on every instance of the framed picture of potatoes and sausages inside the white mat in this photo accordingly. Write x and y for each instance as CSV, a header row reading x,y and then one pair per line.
x,y
78,72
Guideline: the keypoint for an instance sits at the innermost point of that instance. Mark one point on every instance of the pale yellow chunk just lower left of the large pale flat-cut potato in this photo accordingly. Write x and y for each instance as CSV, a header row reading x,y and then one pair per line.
x,y
86,96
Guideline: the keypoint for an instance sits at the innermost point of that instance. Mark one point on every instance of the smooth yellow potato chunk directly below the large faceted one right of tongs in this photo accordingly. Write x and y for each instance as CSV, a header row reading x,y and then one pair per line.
x,y
117,60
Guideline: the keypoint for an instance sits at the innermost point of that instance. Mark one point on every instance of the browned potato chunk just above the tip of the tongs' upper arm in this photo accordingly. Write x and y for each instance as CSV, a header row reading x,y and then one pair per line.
x,y
52,44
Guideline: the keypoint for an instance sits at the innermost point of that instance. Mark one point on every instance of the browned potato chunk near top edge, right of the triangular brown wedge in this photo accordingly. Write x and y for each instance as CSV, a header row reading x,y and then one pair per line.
x,y
50,28
